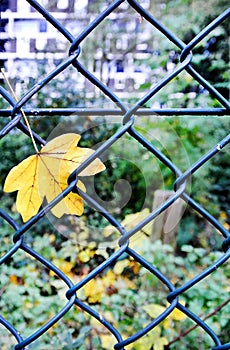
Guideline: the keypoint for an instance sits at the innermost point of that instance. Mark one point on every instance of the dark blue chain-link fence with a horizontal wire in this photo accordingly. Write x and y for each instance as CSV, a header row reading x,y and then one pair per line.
x,y
129,114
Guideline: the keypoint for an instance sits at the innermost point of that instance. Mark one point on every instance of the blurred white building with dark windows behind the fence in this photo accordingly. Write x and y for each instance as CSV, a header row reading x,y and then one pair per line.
x,y
115,53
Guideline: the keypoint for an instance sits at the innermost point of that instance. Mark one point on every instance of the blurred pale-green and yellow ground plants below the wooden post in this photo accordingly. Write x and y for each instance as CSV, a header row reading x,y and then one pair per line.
x,y
126,295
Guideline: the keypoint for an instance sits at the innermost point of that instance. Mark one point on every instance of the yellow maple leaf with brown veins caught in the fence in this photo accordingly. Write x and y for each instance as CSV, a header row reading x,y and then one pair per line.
x,y
45,174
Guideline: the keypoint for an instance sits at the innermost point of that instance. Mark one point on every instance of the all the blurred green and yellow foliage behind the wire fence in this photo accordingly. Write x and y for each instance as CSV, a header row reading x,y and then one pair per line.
x,y
126,294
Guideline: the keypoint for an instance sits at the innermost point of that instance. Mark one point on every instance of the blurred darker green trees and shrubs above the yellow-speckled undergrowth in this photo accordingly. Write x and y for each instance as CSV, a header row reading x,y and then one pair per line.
x,y
186,141
